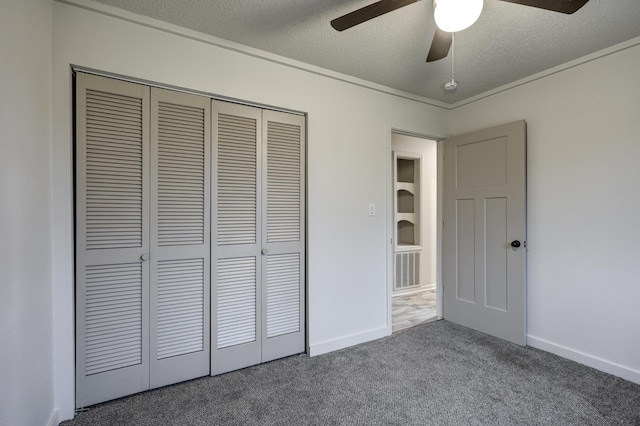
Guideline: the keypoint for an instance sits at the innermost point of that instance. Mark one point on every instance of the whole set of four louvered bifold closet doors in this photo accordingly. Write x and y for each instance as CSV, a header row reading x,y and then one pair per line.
x,y
189,237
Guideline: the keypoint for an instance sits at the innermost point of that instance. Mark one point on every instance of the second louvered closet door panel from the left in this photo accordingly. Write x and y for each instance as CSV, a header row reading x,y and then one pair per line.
x,y
180,237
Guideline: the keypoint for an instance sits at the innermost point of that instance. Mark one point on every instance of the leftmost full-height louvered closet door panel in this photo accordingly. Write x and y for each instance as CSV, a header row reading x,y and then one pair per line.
x,y
112,238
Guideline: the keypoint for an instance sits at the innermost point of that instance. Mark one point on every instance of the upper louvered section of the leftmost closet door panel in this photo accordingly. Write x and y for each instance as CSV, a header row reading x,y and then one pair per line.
x,y
104,166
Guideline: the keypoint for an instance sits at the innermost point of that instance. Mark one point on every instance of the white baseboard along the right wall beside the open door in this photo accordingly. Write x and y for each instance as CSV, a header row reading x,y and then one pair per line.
x,y
585,359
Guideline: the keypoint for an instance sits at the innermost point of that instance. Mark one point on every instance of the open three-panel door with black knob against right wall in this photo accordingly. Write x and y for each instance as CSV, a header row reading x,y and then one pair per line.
x,y
484,254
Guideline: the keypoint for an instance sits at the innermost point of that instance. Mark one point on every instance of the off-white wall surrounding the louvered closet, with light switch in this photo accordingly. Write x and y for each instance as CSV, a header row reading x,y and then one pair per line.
x,y
348,133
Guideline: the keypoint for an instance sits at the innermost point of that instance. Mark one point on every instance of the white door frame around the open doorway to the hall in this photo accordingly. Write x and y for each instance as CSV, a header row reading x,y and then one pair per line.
x,y
390,214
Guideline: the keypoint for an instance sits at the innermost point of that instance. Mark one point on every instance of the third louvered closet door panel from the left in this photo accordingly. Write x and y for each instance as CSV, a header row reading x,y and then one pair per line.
x,y
236,247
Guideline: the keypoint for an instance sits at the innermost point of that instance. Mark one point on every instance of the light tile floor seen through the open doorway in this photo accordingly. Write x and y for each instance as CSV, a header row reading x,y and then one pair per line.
x,y
412,309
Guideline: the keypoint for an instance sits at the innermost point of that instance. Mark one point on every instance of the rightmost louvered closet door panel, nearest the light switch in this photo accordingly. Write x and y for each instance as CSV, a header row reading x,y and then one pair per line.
x,y
283,235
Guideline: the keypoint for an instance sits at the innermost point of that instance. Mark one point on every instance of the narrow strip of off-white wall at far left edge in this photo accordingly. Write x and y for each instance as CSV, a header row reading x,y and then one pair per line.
x,y
26,342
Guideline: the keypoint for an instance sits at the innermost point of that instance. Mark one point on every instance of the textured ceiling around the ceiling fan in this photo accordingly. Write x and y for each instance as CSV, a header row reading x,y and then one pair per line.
x,y
509,41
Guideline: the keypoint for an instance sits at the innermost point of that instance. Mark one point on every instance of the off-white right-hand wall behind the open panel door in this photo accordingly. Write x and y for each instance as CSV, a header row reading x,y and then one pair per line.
x,y
583,205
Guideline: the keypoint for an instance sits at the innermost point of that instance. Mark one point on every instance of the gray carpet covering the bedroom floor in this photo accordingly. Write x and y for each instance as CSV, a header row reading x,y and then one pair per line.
x,y
433,374
